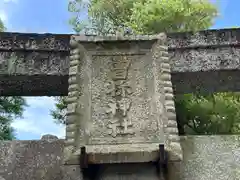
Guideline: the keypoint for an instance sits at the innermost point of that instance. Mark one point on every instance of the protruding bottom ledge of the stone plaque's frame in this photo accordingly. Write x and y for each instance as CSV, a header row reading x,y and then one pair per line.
x,y
122,153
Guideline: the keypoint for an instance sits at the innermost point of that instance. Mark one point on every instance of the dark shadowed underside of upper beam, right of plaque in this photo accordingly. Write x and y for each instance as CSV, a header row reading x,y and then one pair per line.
x,y
207,82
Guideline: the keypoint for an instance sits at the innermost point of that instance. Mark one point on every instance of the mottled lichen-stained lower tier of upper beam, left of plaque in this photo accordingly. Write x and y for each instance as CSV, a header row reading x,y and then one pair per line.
x,y
30,63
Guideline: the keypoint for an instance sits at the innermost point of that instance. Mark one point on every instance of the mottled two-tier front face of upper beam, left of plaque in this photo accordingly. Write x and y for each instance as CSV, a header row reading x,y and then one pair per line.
x,y
30,54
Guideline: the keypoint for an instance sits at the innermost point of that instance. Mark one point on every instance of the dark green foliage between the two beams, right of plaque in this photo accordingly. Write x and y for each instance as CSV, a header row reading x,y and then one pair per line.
x,y
212,114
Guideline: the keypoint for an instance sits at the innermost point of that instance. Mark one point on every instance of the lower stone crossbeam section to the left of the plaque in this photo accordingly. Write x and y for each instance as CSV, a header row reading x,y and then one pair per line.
x,y
31,160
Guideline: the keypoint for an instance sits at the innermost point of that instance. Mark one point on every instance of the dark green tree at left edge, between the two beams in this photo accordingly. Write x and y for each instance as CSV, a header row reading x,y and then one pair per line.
x,y
10,108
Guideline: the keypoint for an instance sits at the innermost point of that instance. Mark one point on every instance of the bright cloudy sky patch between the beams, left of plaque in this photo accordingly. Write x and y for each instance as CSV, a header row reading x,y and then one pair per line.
x,y
37,120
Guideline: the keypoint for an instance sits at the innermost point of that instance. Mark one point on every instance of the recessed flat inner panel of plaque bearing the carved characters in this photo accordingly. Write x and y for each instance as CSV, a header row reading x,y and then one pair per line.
x,y
123,107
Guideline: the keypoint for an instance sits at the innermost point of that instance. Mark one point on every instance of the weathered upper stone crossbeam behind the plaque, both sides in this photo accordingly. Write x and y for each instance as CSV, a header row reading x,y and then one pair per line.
x,y
37,64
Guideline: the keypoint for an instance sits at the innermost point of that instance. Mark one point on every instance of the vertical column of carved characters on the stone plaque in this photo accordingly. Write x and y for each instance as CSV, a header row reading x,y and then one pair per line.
x,y
120,103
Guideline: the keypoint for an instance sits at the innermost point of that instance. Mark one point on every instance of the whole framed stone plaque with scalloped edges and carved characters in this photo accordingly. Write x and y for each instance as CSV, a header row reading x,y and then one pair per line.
x,y
118,102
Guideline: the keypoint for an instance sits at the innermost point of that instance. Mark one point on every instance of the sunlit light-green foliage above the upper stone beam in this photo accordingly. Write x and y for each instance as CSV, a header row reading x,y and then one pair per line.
x,y
145,16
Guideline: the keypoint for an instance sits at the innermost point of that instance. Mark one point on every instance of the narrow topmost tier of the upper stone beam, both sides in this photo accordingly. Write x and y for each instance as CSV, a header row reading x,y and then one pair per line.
x,y
60,42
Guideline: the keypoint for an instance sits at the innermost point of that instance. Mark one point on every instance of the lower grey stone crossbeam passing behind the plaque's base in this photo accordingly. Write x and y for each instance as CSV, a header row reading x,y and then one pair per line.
x,y
205,157
